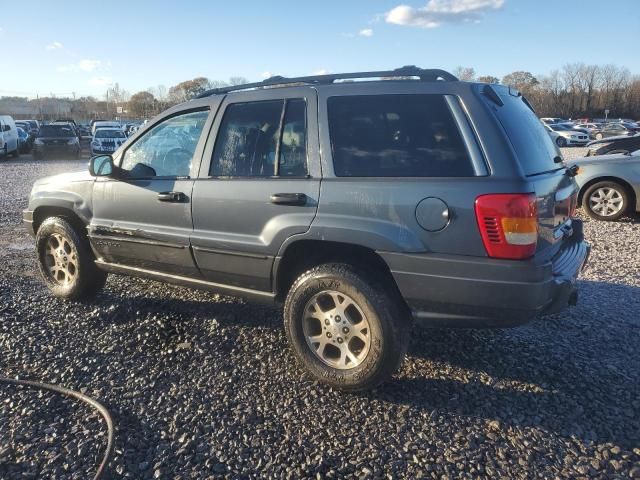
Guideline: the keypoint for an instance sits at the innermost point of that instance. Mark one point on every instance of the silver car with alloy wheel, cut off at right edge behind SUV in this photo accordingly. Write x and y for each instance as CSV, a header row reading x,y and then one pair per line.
x,y
609,185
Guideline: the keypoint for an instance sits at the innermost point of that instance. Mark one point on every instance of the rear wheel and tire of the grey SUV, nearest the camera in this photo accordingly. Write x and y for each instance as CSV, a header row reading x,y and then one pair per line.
x,y
373,326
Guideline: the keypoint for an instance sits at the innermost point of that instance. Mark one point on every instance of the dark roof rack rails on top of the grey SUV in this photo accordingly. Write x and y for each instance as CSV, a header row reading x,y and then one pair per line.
x,y
425,75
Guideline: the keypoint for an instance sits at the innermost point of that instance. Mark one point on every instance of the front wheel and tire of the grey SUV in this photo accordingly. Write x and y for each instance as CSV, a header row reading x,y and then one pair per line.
x,y
72,273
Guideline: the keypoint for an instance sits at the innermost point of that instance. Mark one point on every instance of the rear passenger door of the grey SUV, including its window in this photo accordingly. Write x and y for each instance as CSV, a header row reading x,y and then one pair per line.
x,y
258,185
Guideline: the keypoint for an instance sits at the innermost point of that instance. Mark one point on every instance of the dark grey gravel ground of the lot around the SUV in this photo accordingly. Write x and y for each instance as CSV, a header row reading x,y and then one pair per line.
x,y
204,386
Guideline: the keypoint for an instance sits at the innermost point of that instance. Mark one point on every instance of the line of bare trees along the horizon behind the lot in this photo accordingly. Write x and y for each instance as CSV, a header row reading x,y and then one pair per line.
x,y
576,90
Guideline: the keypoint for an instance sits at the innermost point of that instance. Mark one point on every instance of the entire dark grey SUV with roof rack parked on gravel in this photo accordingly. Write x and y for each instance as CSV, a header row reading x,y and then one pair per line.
x,y
358,205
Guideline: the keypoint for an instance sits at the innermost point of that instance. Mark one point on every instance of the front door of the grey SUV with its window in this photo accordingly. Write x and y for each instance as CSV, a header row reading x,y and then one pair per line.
x,y
142,216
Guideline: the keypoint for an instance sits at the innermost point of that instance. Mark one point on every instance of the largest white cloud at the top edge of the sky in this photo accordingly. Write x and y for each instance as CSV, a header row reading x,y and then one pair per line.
x,y
437,12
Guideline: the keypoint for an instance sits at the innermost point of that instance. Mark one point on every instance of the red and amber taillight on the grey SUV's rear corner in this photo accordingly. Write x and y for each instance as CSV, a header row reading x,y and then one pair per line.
x,y
508,224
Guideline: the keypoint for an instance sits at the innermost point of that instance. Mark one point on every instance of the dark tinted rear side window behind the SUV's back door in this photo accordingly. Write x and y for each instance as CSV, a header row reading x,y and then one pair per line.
x,y
396,136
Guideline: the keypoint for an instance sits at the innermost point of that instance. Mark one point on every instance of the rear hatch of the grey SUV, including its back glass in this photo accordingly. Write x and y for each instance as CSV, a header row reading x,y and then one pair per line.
x,y
541,163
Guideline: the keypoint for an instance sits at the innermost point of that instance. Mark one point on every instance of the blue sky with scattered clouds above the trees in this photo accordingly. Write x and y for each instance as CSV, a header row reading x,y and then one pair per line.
x,y
68,47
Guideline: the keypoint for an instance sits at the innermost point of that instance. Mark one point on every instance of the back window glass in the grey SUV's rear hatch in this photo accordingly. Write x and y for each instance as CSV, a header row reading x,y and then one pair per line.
x,y
530,140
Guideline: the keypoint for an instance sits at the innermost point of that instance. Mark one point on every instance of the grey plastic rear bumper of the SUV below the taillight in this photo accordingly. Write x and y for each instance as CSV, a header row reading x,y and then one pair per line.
x,y
446,290
